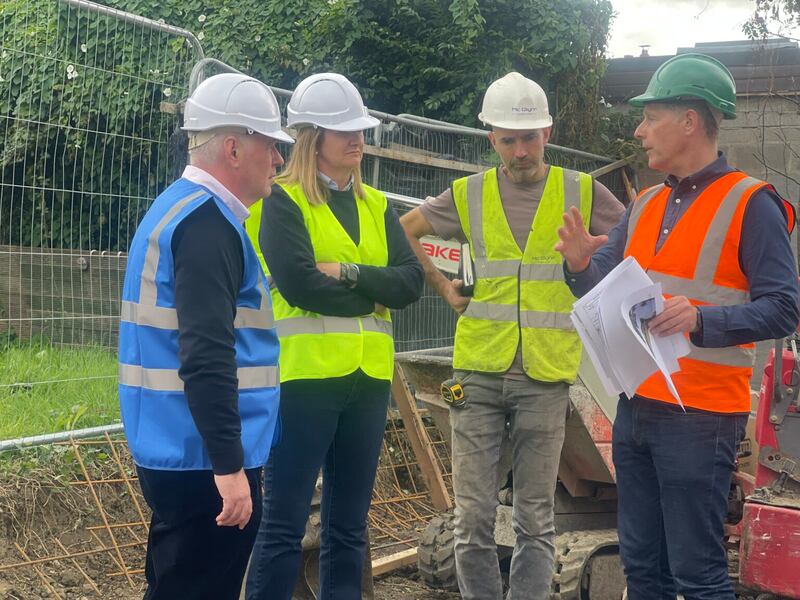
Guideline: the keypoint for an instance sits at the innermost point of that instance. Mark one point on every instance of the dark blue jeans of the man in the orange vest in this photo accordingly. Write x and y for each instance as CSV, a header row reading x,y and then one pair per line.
x,y
673,479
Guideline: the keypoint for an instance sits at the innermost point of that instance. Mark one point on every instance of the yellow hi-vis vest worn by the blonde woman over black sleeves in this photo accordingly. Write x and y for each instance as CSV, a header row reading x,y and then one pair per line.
x,y
315,346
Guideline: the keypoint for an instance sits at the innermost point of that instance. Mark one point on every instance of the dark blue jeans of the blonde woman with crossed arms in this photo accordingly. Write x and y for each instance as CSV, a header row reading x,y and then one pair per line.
x,y
336,424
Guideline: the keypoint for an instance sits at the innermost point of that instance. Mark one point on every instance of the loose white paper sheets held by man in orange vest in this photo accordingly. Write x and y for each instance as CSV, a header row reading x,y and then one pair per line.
x,y
612,322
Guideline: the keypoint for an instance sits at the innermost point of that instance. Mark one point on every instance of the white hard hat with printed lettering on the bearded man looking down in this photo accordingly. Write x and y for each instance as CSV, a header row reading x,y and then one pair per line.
x,y
515,102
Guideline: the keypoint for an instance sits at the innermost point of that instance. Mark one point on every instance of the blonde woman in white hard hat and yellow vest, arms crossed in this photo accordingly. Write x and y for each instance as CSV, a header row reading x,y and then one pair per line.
x,y
337,259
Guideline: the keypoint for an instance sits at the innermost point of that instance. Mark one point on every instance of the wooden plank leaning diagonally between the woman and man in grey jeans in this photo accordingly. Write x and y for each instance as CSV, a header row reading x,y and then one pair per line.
x,y
420,442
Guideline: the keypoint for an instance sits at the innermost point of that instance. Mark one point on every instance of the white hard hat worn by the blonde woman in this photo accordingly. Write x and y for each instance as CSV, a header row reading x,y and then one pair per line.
x,y
328,100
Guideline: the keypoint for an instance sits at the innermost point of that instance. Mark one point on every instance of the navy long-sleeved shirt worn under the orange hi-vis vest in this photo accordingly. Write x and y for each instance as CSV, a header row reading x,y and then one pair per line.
x,y
765,256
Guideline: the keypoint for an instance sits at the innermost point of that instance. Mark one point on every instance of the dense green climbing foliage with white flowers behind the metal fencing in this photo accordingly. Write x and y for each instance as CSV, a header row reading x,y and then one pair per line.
x,y
90,144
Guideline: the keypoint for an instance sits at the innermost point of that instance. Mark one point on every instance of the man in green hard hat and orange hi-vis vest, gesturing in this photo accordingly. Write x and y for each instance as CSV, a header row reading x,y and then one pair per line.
x,y
718,241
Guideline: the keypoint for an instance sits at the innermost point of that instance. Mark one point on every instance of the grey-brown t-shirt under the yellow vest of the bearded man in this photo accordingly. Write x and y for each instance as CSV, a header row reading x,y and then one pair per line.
x,y
520,201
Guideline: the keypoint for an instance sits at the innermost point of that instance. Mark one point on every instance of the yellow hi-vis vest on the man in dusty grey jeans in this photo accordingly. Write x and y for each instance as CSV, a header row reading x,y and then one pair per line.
x,y
519,293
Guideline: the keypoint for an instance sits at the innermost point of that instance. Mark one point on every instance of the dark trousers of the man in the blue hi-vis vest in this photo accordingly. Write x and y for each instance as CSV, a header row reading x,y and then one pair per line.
x,y
188,555
